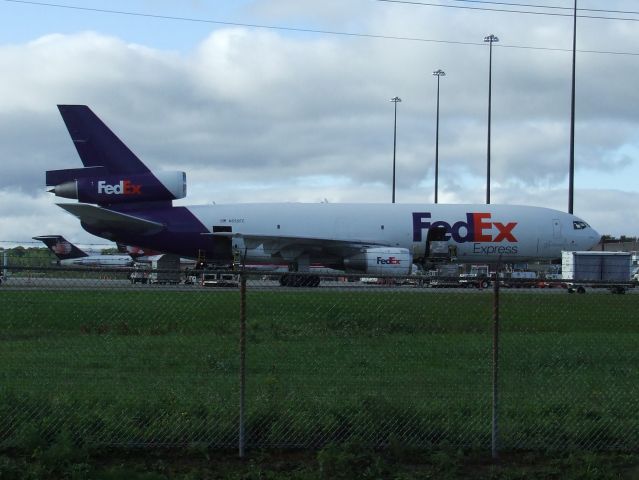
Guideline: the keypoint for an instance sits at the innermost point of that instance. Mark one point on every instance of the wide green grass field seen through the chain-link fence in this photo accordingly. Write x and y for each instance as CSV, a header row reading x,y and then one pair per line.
x,y
145,367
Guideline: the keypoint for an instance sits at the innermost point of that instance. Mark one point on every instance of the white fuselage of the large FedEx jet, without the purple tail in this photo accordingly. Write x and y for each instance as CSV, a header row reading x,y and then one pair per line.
x,y
486,233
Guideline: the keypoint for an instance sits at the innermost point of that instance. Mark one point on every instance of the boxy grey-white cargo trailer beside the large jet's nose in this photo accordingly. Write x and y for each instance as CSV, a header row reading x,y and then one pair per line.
x,y
606,269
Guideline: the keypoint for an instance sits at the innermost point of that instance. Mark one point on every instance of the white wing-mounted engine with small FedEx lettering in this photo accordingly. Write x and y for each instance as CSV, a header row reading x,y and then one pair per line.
x,y
381,261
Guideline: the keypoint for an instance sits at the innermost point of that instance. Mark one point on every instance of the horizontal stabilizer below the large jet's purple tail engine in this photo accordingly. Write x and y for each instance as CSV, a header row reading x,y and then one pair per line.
x,y
109,220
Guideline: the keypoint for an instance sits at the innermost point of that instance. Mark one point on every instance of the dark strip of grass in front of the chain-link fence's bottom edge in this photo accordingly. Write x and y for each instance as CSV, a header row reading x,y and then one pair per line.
x,y
333,462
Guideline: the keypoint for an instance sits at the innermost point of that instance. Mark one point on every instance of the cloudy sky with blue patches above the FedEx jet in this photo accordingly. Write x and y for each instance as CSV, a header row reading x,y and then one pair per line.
x,y
277,114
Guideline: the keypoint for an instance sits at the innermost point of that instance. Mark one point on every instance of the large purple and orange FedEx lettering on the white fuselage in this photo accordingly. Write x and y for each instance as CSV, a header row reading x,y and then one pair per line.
x,y
478,227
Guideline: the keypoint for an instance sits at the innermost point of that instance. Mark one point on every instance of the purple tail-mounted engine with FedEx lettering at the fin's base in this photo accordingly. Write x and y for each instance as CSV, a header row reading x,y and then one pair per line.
x,y
95,185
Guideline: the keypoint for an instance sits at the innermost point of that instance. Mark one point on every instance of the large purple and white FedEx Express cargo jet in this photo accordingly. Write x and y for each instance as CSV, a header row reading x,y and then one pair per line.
x,y
121,199
